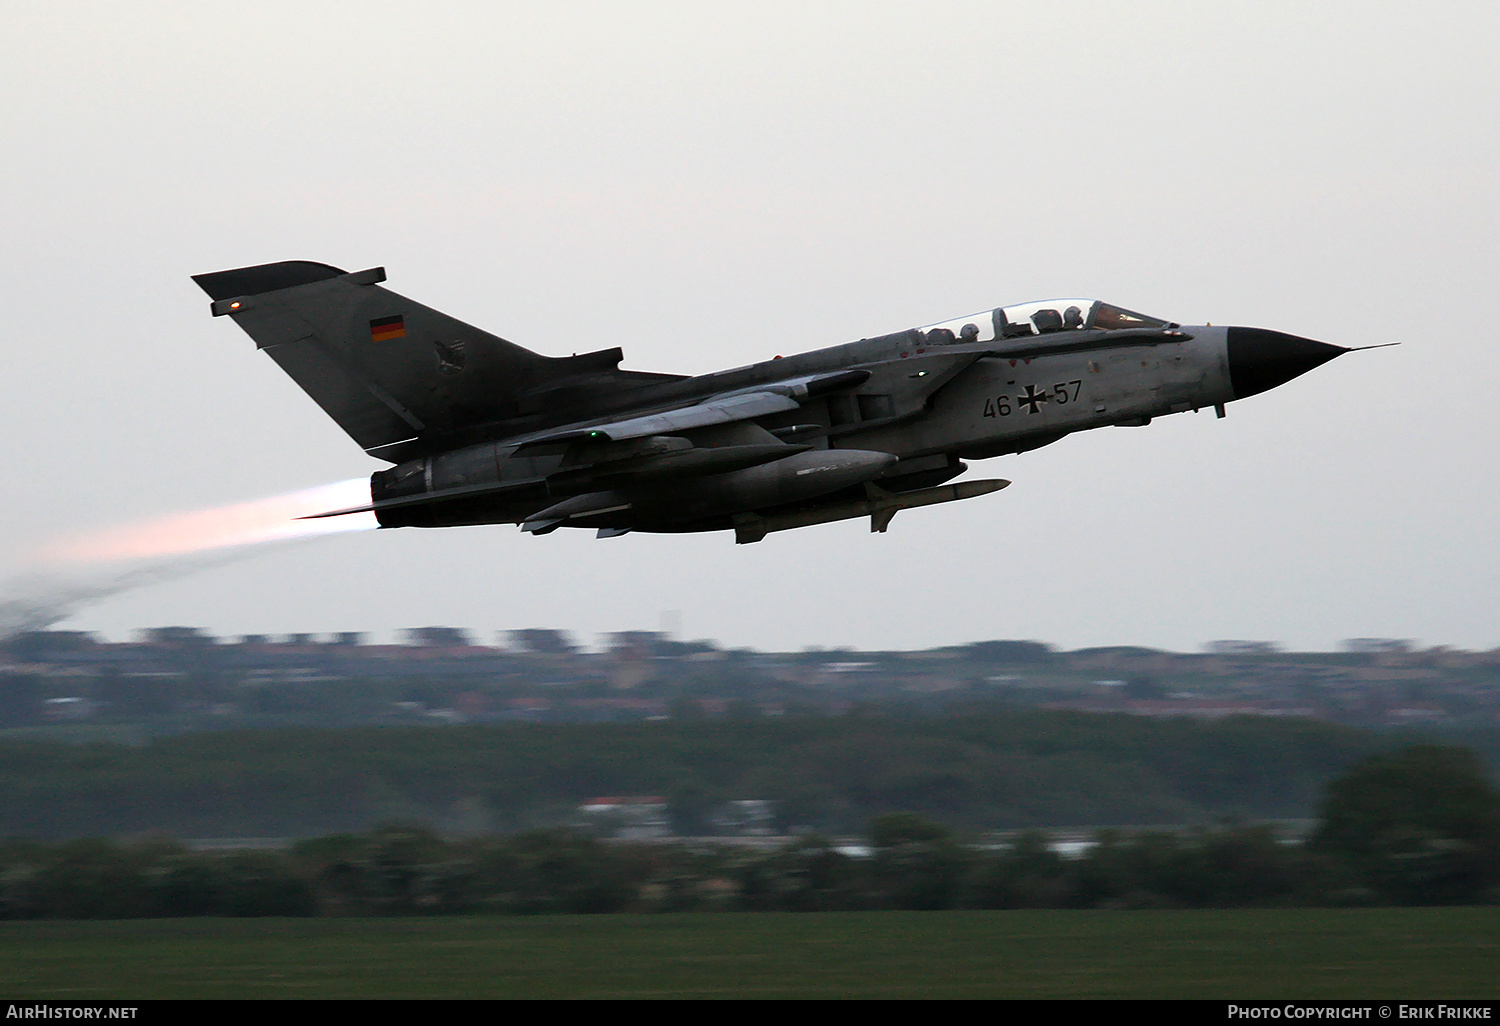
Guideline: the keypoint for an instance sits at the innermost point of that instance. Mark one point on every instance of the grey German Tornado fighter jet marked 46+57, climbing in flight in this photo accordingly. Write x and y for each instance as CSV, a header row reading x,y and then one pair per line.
x,y
482,431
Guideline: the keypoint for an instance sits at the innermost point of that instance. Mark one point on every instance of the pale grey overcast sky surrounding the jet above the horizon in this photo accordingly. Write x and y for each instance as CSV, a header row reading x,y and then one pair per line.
x,y
709,185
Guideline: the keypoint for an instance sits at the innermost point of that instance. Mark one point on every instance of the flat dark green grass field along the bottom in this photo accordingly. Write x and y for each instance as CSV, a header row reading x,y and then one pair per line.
x,y
1294,953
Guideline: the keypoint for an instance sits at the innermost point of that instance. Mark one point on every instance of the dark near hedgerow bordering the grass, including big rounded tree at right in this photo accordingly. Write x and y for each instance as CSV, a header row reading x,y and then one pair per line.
x,y
1420,827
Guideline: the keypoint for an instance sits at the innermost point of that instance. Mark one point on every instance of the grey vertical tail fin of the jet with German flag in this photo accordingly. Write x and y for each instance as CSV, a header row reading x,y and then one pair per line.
x,y
395,374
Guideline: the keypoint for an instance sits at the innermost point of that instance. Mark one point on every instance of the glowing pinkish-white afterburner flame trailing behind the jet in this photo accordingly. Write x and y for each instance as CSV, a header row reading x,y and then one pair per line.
x,y
224,527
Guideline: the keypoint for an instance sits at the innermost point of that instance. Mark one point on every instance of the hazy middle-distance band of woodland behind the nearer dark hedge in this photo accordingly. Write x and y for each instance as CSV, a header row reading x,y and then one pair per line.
x,y
988,770
